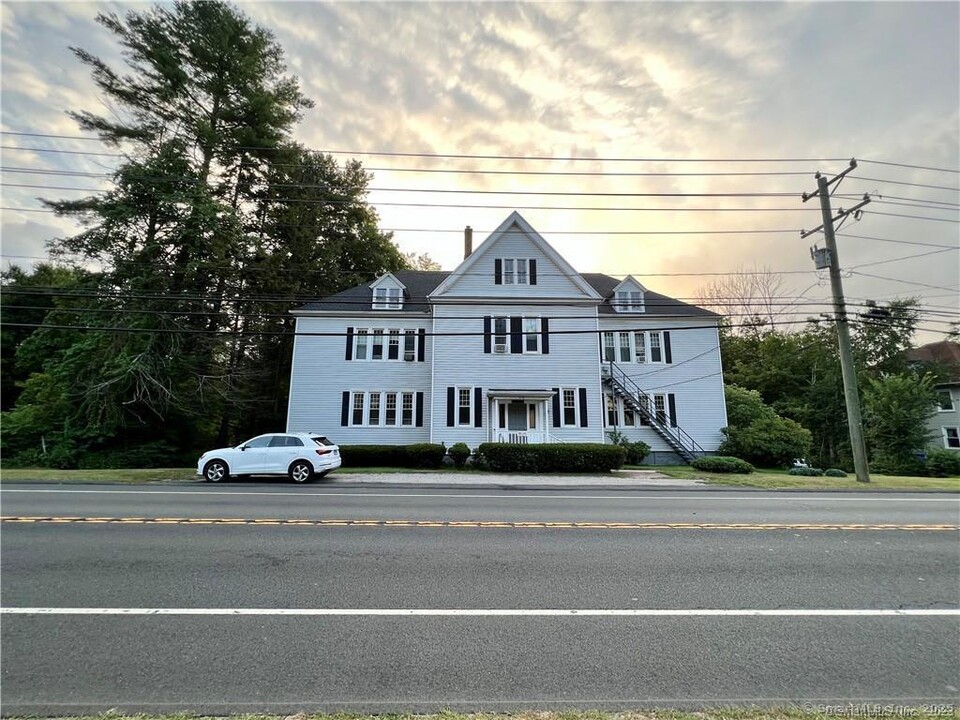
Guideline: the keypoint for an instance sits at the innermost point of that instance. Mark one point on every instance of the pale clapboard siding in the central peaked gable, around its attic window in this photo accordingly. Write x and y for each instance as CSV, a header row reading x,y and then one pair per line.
x,y
478,281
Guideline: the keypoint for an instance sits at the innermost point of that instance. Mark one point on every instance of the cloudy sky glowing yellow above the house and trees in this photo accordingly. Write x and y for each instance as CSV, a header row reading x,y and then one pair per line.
x,y
624,99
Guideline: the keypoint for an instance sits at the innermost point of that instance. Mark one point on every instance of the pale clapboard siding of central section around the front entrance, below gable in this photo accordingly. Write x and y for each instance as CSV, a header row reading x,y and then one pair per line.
x,y
461,361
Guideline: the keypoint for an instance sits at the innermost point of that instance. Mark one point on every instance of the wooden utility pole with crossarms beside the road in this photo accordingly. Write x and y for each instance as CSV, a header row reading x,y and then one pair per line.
x,y
831,259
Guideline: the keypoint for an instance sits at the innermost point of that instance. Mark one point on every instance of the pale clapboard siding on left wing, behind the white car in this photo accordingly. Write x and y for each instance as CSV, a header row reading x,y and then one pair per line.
x,y
321,373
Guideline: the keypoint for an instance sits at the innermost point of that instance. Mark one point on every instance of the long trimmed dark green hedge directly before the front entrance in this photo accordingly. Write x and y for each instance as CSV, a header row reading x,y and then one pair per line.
x,y
560,457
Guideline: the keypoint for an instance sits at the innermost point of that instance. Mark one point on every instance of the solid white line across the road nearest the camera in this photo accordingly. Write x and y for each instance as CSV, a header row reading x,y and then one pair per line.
x,y
495,612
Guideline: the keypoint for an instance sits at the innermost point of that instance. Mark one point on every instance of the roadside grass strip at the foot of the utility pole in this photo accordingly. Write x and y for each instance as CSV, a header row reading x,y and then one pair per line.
x,y
779,479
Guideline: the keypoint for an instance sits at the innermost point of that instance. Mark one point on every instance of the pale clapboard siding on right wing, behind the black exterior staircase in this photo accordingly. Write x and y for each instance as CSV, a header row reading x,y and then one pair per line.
x,y
694,377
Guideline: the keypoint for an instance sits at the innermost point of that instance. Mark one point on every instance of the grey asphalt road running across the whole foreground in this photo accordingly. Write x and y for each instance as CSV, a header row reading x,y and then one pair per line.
x,y
62,663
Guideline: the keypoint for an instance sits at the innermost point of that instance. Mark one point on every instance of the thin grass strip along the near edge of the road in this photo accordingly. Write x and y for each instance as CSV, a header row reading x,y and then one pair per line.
x,y
808,712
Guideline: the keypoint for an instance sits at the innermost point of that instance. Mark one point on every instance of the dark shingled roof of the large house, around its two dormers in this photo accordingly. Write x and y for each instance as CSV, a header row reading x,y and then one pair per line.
x,y
421,283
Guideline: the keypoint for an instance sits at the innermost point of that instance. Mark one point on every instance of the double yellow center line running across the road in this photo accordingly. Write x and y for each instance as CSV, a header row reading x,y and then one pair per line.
x,y
481,524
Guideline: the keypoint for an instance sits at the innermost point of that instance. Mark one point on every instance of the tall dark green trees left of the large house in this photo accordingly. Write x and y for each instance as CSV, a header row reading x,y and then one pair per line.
x,y
216,225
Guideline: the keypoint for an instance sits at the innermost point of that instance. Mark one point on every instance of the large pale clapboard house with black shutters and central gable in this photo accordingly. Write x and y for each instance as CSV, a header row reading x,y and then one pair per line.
x,y
512,346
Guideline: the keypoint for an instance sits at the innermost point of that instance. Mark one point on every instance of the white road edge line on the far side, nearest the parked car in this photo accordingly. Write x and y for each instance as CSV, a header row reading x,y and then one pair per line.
x,y
717,496
